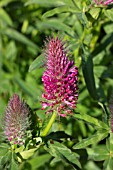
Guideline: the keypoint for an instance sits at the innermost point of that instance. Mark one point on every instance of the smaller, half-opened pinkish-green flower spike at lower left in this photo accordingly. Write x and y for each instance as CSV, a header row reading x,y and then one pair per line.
x,y
16,120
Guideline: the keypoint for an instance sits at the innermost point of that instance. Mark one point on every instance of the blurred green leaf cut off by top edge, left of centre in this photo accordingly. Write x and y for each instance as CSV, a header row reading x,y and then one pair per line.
x,y
45,3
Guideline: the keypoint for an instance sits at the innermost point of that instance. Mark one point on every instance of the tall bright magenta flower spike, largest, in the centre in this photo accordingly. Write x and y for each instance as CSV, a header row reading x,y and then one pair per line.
x,y
60,79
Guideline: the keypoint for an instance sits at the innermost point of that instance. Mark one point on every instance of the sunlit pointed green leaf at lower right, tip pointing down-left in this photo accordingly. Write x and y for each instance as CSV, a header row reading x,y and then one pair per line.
x,y
100,135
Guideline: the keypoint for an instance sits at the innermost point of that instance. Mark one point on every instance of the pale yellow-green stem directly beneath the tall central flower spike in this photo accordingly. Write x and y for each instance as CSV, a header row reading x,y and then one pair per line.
x,y
48,127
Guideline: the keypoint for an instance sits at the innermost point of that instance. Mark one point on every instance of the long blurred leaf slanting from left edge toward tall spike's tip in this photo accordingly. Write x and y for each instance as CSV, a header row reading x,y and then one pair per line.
x,y
19,37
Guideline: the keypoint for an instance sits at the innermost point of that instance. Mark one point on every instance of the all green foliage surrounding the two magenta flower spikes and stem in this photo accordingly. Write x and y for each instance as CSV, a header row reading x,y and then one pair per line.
x,y
88,30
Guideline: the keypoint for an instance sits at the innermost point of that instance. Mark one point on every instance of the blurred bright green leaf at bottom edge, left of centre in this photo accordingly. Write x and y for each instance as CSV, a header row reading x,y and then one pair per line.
x,y
39,161
